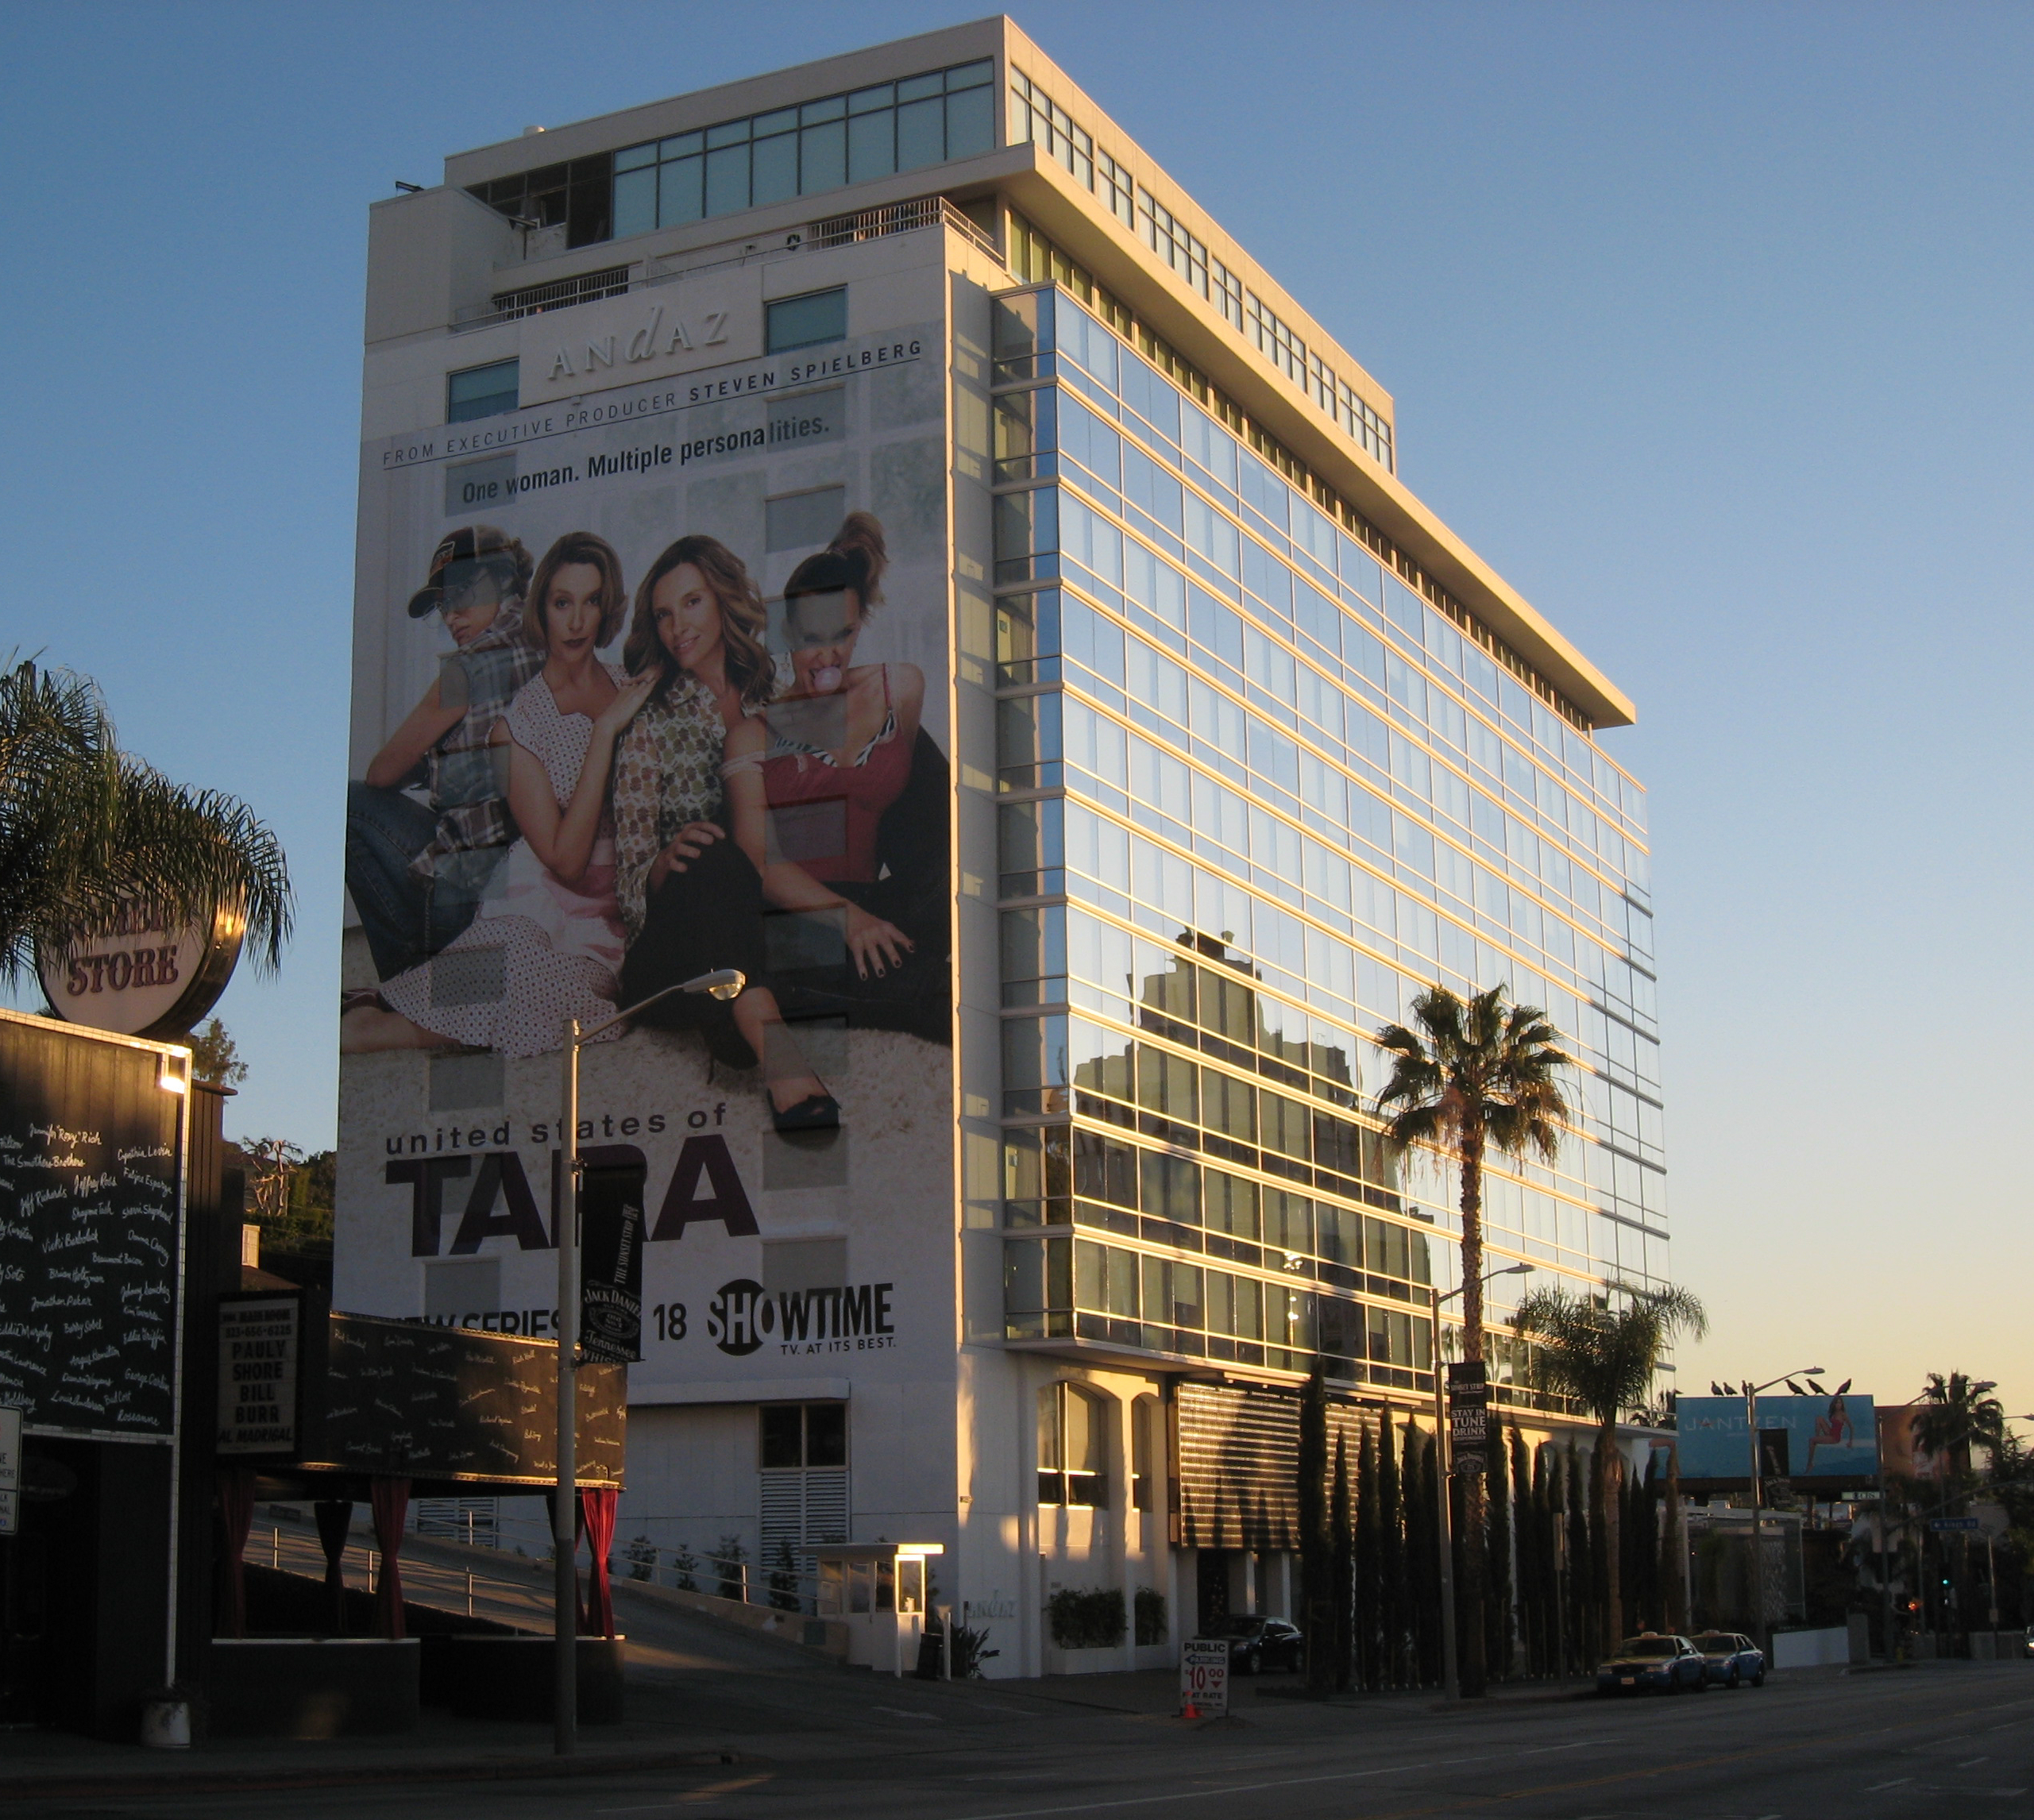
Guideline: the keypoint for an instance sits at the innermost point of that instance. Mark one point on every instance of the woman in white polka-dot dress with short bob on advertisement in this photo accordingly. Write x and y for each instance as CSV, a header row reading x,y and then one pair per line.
x,y
548,947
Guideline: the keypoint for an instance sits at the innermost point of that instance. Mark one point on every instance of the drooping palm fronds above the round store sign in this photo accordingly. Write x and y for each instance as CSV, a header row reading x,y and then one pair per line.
x,y
91,833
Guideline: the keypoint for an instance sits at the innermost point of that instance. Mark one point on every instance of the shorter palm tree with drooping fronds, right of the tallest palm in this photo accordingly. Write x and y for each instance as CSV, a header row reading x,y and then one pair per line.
x,y
1604,1349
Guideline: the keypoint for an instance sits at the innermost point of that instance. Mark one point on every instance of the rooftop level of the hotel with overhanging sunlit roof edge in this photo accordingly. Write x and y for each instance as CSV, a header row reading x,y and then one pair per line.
x,y
979,119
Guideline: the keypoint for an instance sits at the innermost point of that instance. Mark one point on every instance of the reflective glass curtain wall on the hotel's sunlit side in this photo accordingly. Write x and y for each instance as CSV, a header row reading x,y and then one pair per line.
x,y
1254,796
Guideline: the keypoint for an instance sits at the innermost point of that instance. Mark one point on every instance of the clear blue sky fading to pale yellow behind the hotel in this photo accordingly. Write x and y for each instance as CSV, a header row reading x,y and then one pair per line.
x,y
1708,328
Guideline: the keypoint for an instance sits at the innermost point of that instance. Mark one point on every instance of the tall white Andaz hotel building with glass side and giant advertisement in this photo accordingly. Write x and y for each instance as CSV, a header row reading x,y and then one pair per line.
x,y
1169,747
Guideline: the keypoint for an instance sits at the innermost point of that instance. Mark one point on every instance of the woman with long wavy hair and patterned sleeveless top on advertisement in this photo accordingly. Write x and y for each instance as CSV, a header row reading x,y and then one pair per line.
x,y
689,896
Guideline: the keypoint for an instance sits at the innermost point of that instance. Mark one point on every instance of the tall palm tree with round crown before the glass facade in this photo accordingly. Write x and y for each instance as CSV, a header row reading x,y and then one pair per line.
x,y
1470,1077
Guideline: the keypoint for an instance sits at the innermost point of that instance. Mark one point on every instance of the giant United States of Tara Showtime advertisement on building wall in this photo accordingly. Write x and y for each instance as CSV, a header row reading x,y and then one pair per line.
x,y
652,684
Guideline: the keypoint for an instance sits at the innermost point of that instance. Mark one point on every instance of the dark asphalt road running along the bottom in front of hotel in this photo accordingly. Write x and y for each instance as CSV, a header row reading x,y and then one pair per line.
x,y
1954,1740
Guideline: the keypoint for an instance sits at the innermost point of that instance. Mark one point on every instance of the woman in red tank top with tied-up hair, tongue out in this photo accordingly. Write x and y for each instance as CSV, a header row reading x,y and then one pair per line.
x,y
809,782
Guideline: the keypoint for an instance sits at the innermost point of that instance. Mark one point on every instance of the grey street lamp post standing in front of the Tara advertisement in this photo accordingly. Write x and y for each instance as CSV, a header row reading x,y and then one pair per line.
x,y
725,983
